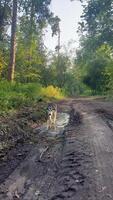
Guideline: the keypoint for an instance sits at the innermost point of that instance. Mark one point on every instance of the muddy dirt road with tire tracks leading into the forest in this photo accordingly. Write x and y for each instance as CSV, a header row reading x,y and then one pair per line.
x,y
75,162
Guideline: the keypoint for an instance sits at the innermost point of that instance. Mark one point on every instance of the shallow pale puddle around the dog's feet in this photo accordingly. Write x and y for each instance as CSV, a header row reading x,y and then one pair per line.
x,y
62,121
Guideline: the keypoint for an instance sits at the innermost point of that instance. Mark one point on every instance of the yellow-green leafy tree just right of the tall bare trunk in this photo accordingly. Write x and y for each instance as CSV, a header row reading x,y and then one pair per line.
x,y
31,54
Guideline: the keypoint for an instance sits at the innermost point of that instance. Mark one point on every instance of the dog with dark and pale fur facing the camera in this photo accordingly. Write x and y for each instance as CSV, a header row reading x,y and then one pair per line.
x,y
51,115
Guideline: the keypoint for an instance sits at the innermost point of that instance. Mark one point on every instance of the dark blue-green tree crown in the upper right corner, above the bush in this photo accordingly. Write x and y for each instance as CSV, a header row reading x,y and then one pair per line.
x,y
97,20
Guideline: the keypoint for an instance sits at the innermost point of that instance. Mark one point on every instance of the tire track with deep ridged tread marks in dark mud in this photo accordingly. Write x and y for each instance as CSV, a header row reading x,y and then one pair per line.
x,y
73,175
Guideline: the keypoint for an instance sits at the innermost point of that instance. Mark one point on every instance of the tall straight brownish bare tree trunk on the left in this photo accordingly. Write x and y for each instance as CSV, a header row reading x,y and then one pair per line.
x,y
11,68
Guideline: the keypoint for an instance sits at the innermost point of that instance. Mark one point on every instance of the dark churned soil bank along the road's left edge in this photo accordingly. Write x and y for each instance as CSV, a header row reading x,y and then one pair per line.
x,y
17,138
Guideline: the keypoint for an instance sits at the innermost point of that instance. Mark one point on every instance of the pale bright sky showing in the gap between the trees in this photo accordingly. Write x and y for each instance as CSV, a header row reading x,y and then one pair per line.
x,y
69,13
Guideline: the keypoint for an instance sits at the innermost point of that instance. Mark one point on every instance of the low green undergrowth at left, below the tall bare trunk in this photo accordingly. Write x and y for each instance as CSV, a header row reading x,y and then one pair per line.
x,y
16,95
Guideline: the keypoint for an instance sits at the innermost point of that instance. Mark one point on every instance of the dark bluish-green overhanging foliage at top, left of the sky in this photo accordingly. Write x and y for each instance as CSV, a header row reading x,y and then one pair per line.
x,y
39,14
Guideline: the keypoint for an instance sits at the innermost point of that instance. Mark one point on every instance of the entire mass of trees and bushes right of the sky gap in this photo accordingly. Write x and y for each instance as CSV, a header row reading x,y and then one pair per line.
x,y
95,57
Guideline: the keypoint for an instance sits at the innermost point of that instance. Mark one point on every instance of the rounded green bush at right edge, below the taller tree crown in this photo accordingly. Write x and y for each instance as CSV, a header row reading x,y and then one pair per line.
x,y
96,74
